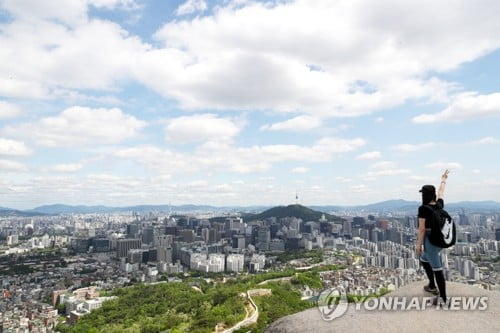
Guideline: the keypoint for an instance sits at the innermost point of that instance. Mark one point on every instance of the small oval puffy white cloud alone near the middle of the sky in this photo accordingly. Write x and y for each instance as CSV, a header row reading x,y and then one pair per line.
x,y
201,127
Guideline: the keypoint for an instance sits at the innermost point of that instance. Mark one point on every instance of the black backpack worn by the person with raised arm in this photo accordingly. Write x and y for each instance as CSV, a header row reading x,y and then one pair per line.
x,y
443,230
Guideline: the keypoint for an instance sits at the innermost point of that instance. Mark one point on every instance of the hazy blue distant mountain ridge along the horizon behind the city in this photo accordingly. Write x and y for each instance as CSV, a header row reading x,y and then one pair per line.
x,y
383,206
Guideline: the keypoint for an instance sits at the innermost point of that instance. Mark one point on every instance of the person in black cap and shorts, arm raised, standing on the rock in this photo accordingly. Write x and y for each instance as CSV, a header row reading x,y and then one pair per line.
x,y
430,254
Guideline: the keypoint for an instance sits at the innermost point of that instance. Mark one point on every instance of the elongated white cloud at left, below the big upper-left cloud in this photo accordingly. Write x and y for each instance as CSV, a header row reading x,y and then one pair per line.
x,y
77,126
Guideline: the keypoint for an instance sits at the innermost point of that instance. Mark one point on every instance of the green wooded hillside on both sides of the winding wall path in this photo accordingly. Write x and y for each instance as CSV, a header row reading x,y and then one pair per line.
x,y
195,305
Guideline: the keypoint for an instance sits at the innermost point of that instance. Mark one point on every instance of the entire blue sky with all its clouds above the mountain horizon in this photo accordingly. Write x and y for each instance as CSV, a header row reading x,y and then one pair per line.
x,y
122,102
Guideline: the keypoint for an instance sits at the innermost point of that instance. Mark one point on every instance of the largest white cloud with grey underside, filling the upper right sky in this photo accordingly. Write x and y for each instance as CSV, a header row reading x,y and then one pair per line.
x,y
294,58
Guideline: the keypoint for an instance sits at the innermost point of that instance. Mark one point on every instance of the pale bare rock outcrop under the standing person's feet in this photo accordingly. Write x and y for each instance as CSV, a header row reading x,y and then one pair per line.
x,y
431,319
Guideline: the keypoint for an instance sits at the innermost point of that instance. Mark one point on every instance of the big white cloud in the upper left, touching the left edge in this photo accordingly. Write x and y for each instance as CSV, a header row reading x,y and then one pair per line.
x,y
68,58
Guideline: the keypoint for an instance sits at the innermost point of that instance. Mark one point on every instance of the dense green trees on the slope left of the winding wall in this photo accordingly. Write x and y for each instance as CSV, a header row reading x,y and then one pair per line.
x,y
155,308
